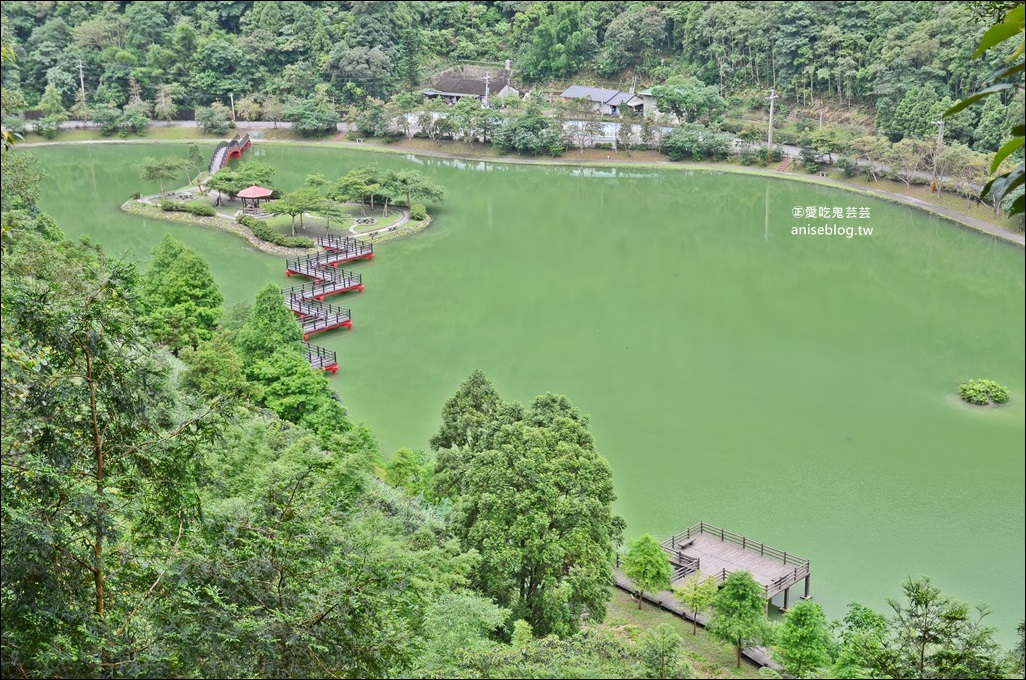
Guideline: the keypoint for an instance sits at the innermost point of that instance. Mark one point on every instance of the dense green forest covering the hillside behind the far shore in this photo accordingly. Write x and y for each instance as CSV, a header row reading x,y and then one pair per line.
x,y
871,55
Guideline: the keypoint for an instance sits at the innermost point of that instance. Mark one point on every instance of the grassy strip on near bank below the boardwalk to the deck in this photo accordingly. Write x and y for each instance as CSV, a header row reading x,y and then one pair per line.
x,y
712,658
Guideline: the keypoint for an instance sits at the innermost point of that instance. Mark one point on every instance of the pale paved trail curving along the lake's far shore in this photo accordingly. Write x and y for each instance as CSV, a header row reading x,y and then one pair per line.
x,y
974,224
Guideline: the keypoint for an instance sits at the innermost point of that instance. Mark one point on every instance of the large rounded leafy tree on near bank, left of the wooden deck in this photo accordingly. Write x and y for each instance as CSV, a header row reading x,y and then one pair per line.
x,y
534,499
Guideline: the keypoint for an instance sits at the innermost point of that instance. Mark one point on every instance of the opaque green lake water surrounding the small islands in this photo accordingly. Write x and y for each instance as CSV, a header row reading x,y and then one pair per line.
x,y
799,390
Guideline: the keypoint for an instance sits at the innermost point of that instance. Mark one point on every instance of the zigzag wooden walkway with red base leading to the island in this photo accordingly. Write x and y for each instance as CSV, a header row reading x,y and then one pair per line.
x,y
307,301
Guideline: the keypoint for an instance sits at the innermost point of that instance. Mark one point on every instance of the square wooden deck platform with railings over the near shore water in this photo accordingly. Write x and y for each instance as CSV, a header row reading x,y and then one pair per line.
x,y
717,552
